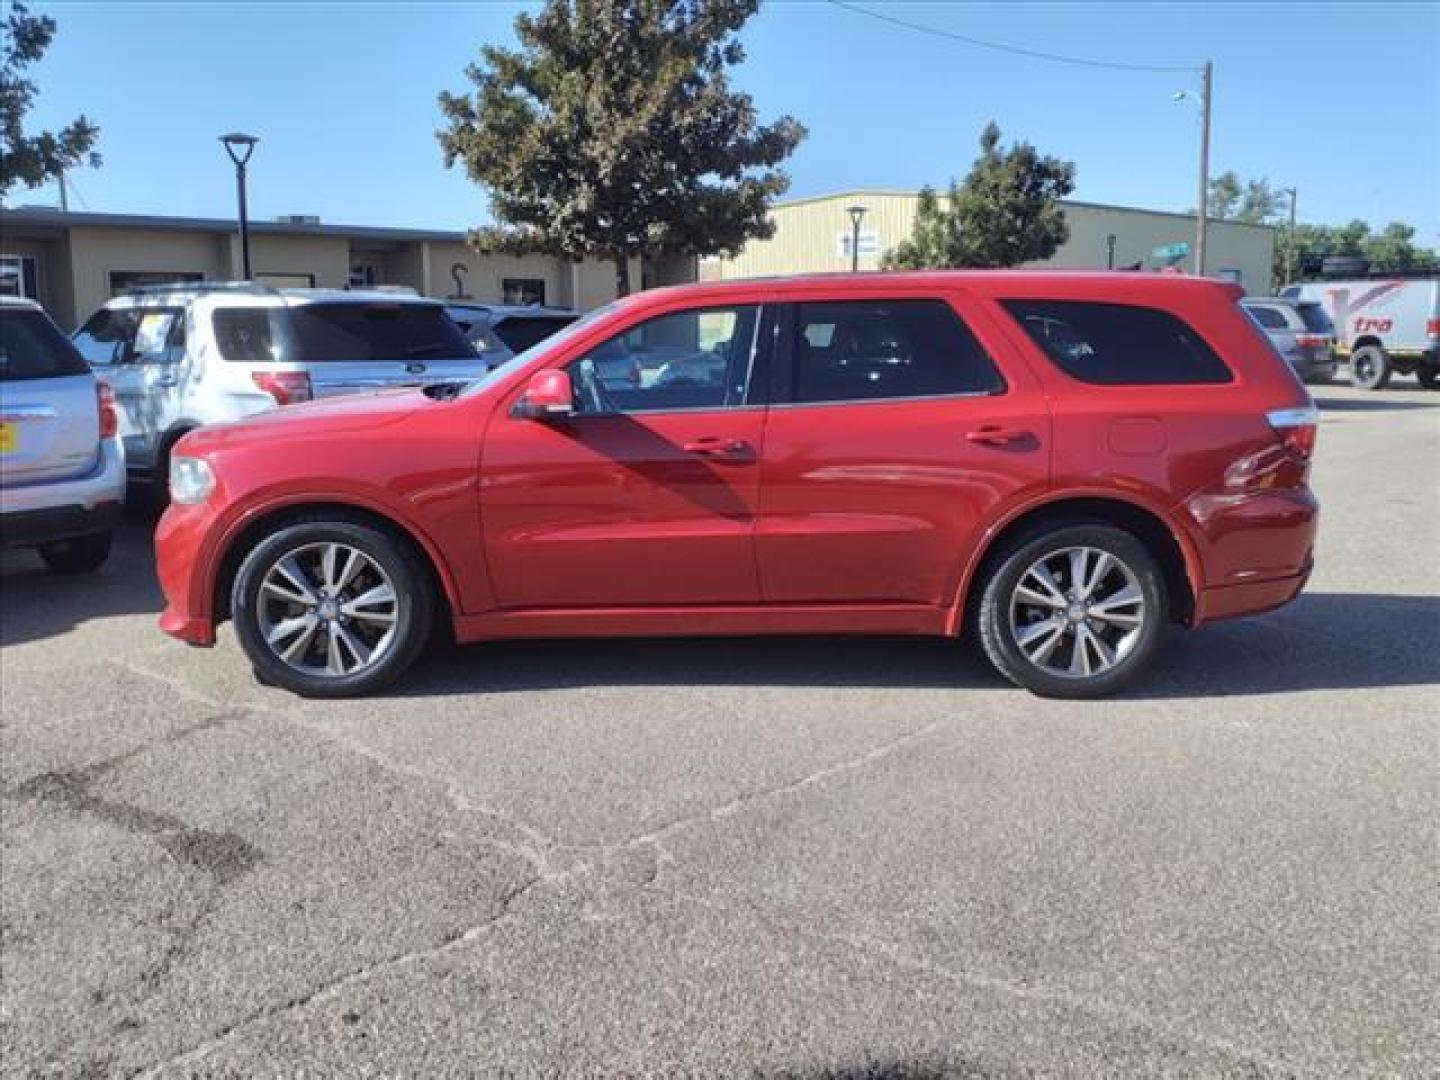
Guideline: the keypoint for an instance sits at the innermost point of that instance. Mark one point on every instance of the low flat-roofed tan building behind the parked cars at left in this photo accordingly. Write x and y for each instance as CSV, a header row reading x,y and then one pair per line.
x,y
74,263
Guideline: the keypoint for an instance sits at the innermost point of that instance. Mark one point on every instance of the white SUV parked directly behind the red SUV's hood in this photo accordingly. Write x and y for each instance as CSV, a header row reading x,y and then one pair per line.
x,y
184,356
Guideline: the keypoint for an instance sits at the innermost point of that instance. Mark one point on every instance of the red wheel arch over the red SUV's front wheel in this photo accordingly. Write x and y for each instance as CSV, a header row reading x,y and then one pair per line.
x,y
276,516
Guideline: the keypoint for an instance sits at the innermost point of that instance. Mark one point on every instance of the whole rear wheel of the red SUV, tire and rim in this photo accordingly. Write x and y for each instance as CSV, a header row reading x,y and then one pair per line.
x,y
1074,613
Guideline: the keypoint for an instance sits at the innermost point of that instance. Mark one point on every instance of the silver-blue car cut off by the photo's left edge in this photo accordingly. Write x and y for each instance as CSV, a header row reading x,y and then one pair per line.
x,y
63,470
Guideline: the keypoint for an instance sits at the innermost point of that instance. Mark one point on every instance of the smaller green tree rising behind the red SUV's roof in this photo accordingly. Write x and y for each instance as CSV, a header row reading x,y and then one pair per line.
x,y
1004,214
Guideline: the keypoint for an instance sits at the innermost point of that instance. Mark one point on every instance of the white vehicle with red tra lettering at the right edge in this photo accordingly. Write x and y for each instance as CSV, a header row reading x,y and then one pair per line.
x,y
1385,326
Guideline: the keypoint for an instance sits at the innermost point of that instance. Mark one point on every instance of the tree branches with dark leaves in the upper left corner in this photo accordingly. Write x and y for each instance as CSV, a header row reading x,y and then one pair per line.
x,y
31,161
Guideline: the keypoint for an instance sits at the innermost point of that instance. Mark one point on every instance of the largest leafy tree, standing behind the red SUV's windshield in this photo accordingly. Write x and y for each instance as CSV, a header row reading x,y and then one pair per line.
x,y
613,133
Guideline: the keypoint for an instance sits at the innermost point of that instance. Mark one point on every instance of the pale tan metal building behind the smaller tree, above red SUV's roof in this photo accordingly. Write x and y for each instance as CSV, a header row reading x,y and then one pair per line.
x,y
814,235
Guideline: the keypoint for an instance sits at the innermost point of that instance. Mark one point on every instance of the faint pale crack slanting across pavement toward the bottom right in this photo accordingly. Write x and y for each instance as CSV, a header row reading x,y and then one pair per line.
x,y
1055,996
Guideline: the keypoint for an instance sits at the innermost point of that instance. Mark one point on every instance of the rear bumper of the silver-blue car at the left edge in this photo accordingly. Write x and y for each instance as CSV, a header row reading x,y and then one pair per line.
x,y
38,513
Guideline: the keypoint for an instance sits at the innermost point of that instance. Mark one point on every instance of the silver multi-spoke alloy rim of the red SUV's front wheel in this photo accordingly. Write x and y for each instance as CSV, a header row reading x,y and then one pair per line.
x,y
328,610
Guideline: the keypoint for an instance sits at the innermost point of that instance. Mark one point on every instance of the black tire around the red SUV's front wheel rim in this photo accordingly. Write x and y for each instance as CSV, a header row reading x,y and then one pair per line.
x,y
392,555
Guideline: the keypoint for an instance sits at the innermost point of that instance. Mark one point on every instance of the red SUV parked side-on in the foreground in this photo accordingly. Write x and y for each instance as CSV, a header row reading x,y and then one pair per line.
x,y
1058,463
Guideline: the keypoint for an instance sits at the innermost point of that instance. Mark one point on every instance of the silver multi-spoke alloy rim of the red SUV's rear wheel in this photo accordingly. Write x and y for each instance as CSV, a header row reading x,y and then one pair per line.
x,y
1078,613
